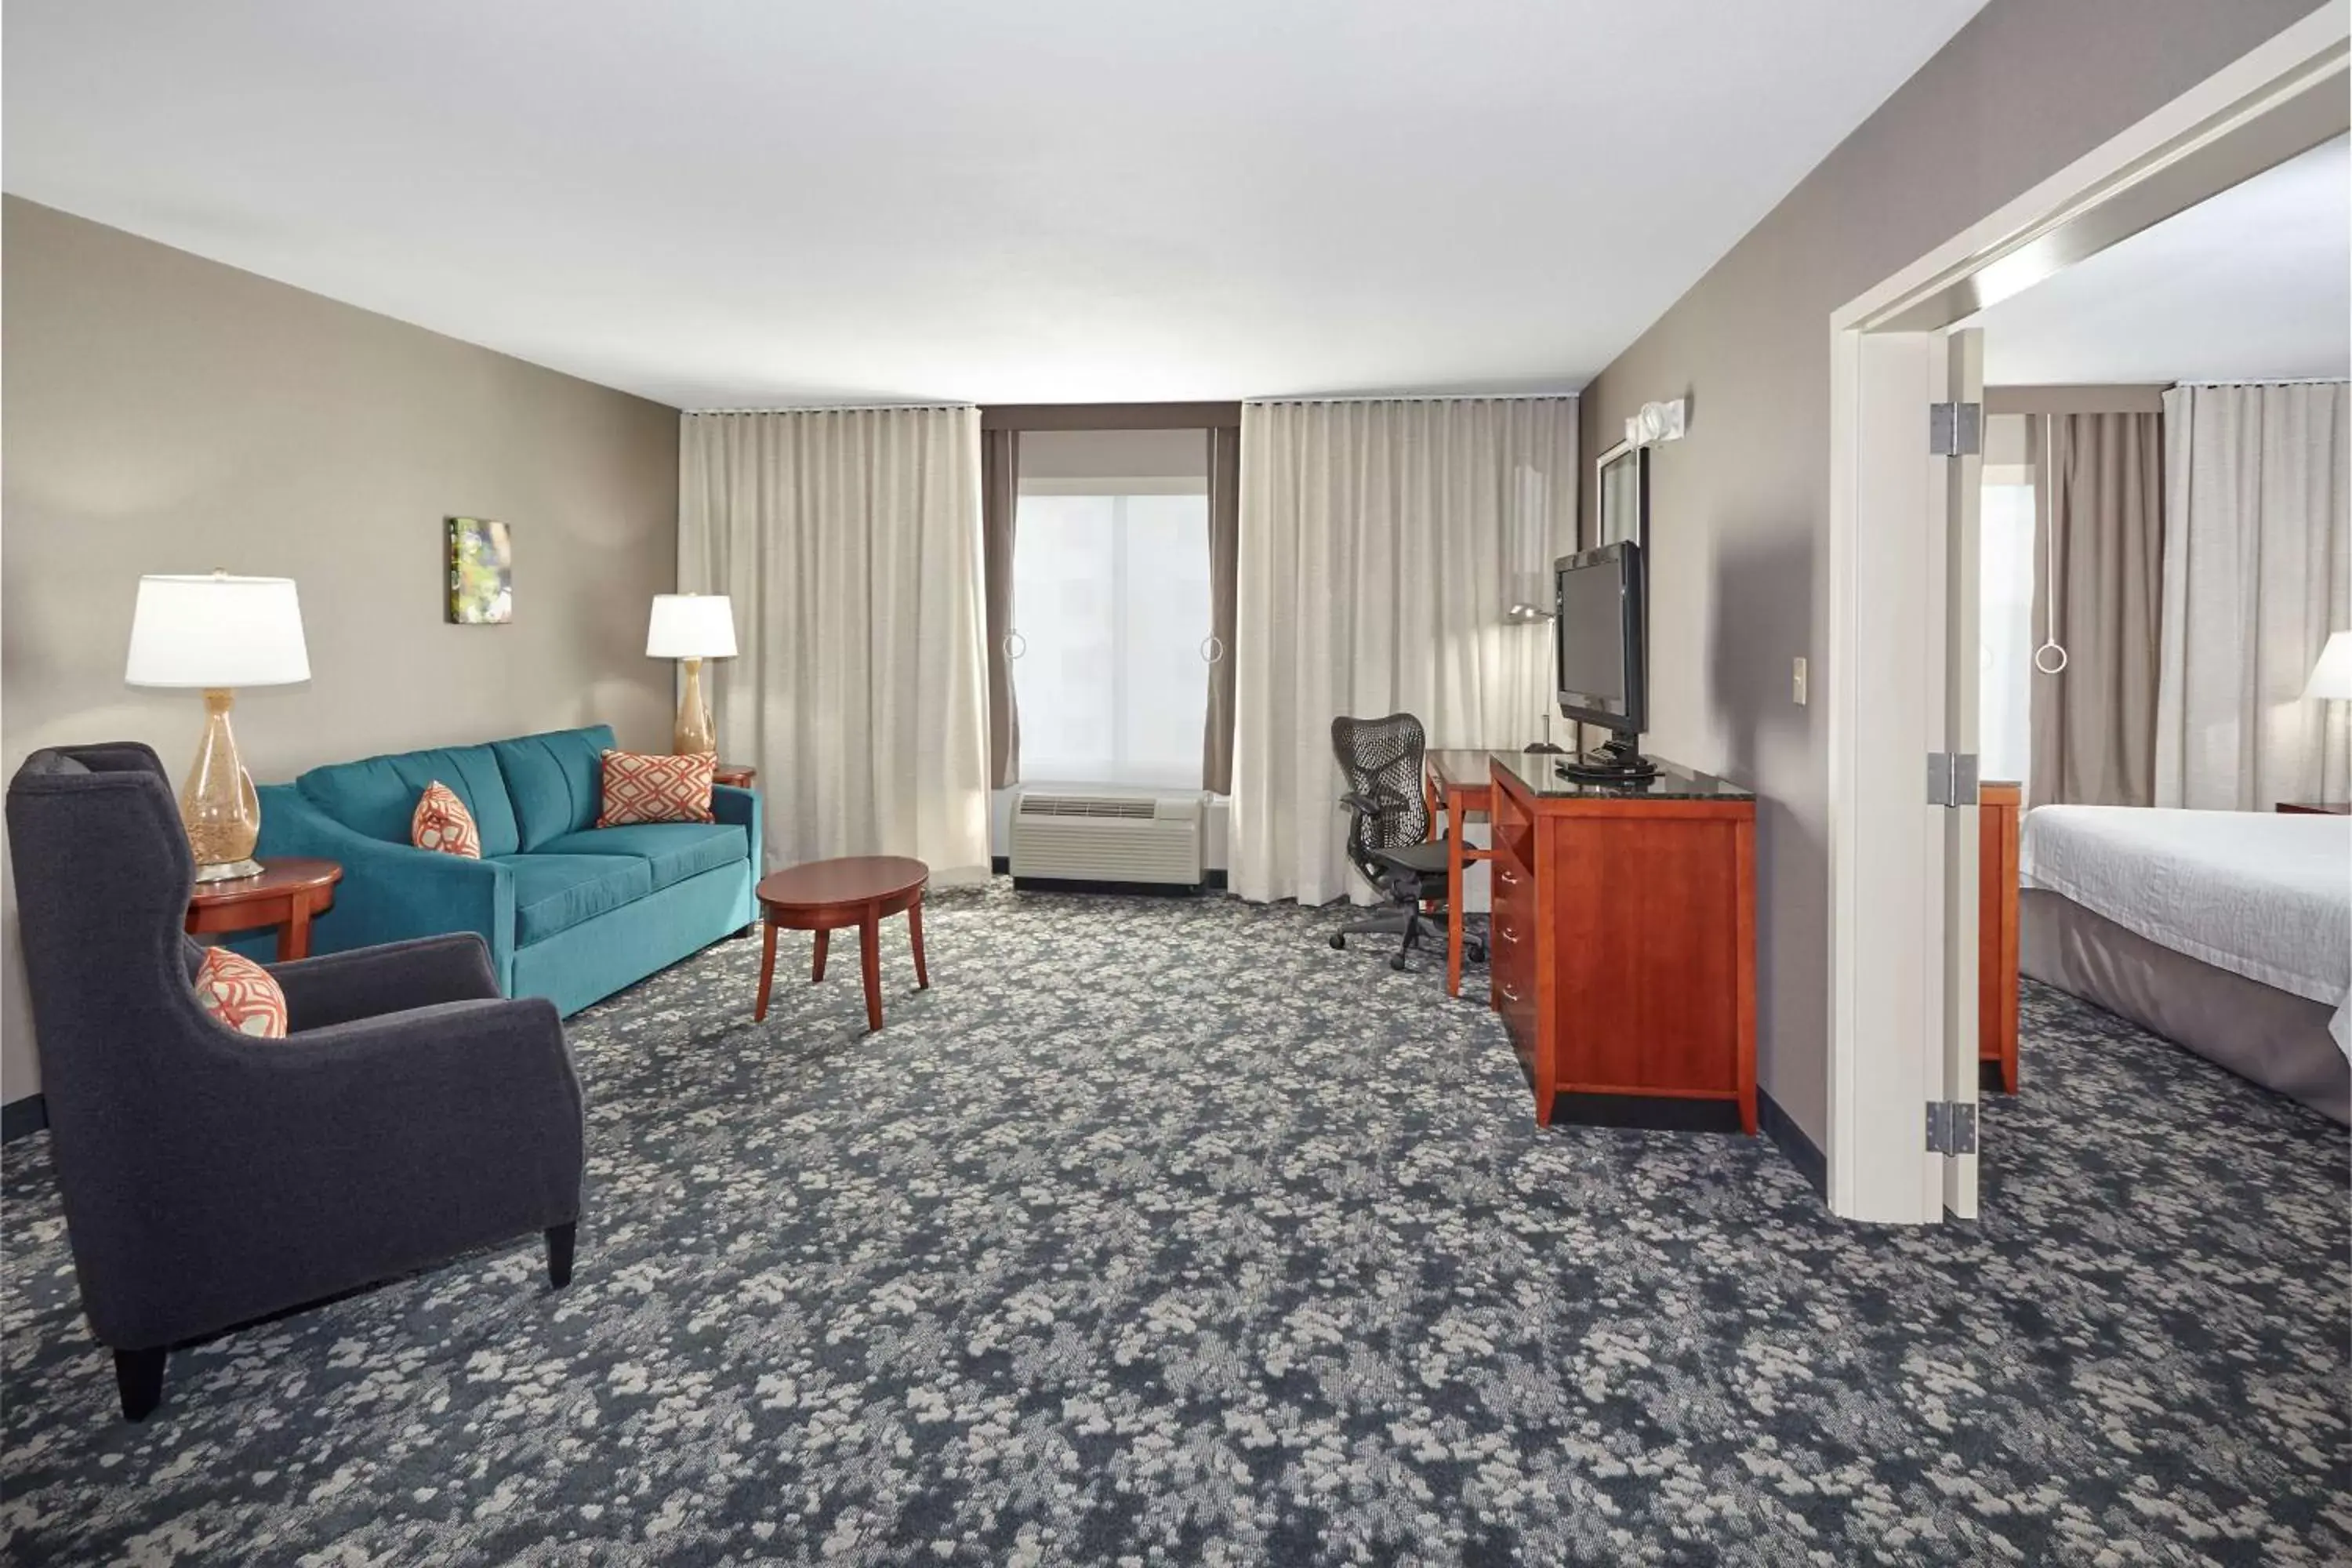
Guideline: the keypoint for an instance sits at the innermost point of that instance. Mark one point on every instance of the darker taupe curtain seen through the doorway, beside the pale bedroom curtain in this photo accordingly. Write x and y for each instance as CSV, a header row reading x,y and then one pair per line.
x,y
2099,563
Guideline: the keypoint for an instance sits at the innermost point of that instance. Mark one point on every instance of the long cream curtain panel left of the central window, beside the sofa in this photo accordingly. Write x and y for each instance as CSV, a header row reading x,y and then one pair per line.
x,y
850,542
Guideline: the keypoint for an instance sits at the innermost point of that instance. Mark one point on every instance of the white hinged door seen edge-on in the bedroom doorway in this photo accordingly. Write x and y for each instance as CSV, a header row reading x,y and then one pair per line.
x,y
1956,563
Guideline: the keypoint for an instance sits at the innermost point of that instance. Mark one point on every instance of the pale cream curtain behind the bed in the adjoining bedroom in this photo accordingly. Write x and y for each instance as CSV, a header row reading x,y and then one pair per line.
x,y
2257,575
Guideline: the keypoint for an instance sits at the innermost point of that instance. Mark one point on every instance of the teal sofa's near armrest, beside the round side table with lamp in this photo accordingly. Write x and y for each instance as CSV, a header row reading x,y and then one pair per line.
x,y
392,892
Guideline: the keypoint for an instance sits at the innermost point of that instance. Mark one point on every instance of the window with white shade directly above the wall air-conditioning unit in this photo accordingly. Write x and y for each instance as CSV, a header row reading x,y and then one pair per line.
x,y
1111,608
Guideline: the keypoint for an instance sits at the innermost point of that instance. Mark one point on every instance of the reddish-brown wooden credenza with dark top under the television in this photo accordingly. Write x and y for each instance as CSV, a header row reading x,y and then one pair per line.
x,y
1624,934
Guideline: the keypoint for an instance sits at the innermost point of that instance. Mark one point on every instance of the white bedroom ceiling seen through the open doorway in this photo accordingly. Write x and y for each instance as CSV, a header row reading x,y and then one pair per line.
x,y
2250,286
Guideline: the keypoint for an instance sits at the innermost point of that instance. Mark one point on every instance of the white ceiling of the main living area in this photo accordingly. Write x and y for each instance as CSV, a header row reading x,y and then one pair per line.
x,y
730,203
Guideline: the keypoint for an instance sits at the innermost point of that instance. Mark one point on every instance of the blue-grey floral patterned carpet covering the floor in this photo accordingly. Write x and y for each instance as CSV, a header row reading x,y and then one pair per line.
x,y
1158,1233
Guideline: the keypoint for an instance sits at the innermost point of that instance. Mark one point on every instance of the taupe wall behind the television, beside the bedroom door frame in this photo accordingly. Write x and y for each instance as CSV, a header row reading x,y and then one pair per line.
x,y
1739,509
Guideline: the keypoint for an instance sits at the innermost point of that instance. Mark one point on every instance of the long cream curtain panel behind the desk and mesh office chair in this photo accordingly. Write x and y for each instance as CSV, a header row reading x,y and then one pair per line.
x,y
1382,547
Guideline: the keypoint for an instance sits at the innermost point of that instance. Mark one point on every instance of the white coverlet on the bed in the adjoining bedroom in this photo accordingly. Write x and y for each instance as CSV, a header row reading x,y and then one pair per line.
x,y
2261,894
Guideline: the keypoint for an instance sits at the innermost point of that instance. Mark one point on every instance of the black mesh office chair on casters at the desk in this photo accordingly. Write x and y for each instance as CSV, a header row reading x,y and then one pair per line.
x,y
1389,838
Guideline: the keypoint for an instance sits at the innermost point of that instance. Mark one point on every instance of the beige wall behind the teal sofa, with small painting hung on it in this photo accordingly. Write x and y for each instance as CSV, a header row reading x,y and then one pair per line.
x,y
171,415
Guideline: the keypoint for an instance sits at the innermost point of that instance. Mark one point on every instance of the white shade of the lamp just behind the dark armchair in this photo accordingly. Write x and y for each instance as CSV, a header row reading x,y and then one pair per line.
x,y
218,631
